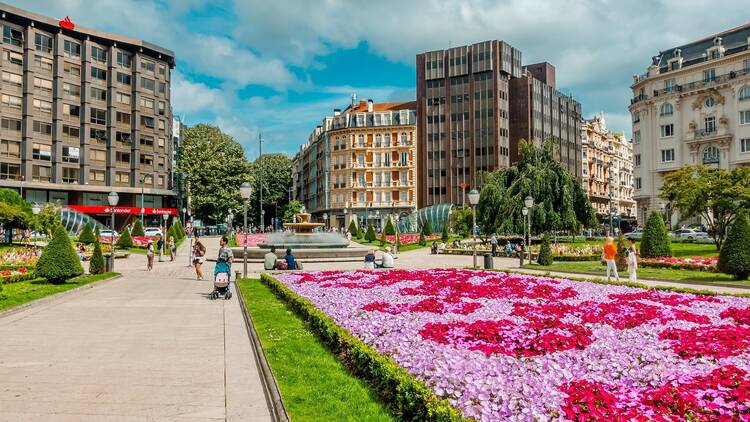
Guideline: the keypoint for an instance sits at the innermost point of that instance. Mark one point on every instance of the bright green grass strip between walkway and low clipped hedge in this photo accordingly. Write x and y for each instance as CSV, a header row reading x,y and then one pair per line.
x,y
313,384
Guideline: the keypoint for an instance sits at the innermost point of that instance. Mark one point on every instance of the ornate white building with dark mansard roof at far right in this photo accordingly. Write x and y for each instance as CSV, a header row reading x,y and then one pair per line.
x,y
691,107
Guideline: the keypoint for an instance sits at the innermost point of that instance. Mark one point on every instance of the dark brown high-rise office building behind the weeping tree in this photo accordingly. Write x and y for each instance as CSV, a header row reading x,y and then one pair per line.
x,y
474,103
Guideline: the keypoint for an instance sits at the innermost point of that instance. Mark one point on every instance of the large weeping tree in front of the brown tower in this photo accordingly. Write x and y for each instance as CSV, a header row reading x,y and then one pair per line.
x,y
560,202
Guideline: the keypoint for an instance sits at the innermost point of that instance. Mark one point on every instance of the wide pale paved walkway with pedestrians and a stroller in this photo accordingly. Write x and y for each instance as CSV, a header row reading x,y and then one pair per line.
x,y
149,346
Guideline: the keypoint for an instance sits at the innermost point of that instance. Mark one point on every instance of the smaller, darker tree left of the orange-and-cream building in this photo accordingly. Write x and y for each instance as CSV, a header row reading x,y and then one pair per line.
x,y
276,170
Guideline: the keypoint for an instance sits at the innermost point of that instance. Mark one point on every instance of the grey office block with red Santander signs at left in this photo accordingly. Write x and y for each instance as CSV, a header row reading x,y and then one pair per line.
x,y
84,113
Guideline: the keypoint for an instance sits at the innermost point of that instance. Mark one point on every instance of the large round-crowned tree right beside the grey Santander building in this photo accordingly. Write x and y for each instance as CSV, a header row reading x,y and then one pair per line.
x,y
216,167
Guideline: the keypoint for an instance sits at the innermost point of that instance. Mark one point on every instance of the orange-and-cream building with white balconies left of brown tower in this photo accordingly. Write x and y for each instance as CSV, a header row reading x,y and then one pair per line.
x,y
359,163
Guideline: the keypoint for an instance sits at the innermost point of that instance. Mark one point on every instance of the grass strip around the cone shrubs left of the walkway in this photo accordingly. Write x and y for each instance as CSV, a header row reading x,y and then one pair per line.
x,y
15,294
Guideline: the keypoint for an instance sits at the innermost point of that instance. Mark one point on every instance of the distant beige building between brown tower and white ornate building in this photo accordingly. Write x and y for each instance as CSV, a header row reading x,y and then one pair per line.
x,y
607,169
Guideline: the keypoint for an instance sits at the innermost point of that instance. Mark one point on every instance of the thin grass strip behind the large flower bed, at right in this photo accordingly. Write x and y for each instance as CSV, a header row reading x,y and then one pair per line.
x,y
596,268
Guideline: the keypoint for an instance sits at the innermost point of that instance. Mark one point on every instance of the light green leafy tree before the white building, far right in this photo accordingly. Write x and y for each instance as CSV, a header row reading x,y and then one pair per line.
x,y
714,195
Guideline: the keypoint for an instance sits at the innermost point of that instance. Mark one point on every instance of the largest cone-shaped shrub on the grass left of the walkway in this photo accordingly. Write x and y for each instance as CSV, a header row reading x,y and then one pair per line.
x,y
59,260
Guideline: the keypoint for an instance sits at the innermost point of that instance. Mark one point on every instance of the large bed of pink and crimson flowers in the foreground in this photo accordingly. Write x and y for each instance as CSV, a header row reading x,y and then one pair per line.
x,y
514,347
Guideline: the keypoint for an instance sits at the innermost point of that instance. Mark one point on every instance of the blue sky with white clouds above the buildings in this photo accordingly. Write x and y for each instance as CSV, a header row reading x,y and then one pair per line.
x,y
278,67
